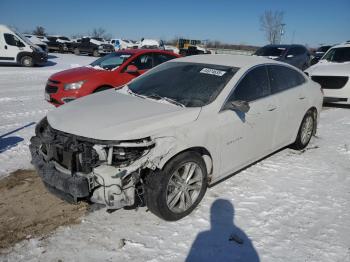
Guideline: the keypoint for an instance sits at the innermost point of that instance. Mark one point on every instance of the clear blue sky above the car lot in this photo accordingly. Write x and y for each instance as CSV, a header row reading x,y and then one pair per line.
x,y
307,22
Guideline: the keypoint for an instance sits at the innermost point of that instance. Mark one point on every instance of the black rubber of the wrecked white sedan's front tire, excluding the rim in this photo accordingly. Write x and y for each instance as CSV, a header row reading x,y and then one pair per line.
x,y
157,182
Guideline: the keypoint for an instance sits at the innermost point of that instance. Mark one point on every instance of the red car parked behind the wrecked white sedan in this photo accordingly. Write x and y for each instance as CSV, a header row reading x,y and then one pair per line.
x,y
110,71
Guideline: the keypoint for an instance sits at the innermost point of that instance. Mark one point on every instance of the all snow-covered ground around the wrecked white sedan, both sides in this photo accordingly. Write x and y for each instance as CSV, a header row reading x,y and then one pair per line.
x,y
292,206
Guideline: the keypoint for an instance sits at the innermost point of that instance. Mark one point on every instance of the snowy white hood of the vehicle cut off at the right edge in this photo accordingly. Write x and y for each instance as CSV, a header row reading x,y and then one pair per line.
x,y
325,68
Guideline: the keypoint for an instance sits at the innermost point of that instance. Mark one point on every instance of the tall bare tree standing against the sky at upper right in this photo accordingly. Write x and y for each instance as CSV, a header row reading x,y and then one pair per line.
x,y
272,24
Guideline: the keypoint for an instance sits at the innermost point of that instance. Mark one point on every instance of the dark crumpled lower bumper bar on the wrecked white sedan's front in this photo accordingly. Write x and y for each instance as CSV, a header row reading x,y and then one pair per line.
x,y
65,186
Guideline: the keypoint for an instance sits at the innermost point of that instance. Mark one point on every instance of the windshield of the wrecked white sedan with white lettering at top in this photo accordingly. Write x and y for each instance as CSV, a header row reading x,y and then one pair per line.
x,y
189,84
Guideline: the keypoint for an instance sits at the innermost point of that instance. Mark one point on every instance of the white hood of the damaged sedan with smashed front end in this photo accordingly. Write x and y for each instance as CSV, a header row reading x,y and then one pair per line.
x,y
110,115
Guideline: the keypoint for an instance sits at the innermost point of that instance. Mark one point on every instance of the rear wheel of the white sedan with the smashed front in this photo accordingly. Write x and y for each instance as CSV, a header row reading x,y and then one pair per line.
x,y
306,130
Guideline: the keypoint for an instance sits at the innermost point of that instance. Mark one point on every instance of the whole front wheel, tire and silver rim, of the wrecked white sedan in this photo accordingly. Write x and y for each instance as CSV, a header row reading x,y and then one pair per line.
x,y
175,192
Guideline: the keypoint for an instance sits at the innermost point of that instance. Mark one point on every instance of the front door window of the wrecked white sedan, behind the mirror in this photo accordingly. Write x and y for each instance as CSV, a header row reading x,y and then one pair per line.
x,y
253,86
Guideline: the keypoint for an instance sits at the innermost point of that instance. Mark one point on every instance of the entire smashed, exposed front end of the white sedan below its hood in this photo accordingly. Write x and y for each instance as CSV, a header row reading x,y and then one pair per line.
x,y
105,172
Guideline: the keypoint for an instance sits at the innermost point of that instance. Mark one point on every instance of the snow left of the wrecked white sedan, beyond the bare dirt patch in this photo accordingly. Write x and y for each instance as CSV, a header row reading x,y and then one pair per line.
x,y
22,104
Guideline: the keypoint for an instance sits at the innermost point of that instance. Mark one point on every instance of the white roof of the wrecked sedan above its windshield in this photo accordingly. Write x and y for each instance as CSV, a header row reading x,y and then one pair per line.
x,y
228,60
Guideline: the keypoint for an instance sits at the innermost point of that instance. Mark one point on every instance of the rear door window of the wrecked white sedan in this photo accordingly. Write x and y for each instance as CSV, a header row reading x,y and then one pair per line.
x,y
283,78
